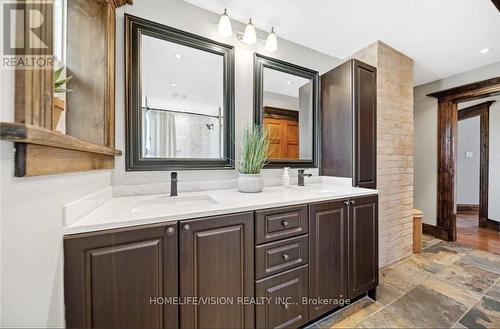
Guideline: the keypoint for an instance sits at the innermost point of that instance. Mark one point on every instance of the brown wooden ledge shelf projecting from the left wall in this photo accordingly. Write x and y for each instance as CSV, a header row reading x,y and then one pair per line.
x,y
28,134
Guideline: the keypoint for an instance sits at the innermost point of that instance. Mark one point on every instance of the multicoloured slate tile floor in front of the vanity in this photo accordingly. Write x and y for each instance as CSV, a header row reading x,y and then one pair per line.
x,y
446,286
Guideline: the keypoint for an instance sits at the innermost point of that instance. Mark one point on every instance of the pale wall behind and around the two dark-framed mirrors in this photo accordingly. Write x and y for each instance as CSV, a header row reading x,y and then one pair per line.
x,y
184,16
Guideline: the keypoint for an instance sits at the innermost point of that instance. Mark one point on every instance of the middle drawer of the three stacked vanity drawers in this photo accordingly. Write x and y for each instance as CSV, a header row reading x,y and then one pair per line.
x,y
274,257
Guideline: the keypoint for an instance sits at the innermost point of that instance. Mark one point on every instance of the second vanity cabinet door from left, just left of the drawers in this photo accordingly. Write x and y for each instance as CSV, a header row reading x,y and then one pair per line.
x,y
216,261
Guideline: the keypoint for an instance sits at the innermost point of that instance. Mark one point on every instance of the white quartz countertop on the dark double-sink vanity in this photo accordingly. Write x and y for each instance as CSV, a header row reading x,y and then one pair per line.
x,y
129,211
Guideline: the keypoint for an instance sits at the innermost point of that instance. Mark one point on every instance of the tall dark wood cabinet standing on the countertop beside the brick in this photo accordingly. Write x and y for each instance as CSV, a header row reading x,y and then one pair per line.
x,y
349,123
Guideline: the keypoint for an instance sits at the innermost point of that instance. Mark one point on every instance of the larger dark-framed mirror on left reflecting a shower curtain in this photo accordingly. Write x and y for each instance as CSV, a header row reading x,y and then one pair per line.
x,y
180,99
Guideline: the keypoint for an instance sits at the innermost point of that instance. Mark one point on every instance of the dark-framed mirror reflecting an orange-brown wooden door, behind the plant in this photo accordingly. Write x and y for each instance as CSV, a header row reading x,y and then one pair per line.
x,y
286,103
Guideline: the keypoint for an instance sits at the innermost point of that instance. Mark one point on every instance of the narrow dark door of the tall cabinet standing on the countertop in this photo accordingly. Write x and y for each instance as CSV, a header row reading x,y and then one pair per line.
x,y
365,125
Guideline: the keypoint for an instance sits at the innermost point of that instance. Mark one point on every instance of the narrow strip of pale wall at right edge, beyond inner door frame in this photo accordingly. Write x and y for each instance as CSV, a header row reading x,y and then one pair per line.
x,y
494,163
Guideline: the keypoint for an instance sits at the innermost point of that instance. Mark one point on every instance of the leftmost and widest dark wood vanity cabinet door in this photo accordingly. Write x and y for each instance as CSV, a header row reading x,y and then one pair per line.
x,y
112,279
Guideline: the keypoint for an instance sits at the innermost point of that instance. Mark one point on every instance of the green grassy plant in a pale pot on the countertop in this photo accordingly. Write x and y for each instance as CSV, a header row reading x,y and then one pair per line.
x,y
255,149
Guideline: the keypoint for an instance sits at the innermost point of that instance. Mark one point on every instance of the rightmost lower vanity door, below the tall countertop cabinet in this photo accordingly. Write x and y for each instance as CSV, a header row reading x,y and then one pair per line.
x,y
363,245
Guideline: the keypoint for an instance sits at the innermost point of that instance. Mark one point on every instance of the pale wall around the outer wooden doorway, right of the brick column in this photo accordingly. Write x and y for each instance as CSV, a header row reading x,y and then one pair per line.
x,y
425,116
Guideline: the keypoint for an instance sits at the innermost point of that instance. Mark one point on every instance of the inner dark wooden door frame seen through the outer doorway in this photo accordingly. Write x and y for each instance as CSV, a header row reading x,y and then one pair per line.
x,y
482,111
